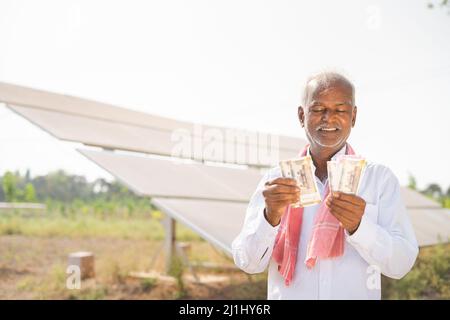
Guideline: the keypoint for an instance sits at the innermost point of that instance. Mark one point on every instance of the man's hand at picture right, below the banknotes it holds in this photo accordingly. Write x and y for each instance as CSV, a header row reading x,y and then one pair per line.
x,y
347,208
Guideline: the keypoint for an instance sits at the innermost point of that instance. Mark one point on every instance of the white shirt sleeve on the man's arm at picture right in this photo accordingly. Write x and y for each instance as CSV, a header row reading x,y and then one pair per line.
x,y
387,242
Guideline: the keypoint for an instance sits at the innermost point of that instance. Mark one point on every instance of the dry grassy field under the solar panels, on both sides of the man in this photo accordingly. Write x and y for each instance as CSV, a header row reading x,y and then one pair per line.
x,y
34,248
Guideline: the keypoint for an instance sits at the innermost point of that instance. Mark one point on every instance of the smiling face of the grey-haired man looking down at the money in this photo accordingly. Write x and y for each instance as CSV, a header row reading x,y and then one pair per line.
x,y
328,115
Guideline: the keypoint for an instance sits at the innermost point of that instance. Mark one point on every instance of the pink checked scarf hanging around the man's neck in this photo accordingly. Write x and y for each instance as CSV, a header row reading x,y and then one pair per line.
x,y
327,239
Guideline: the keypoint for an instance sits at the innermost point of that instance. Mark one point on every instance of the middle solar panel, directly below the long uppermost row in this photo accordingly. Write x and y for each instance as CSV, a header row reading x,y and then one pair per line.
x,y
175,179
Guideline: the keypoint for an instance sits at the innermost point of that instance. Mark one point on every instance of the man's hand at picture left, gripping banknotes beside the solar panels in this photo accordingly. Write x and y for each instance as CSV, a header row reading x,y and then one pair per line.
x,y
278,194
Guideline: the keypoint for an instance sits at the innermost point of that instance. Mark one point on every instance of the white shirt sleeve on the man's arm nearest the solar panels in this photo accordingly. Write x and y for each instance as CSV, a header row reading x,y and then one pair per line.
x,y
252,248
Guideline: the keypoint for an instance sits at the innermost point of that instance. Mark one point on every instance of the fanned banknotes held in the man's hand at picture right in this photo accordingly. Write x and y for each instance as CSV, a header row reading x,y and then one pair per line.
x,y
345,174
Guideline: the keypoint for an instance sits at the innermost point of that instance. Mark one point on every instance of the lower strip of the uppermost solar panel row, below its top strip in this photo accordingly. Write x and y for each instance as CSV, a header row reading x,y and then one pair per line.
x,y
122,136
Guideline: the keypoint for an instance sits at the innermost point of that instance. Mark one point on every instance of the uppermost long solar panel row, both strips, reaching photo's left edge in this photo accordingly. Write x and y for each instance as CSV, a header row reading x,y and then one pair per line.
x,y
98,124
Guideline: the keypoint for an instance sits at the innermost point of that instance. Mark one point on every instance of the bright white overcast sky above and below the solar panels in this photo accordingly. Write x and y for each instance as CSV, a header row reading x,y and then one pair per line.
x,y
234,63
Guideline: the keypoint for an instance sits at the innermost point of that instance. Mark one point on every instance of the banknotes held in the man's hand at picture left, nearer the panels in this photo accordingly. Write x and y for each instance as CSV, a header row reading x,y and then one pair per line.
x,y
301,170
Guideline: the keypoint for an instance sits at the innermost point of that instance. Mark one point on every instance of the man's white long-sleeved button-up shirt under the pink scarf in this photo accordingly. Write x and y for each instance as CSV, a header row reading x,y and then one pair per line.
x,y
384,242
